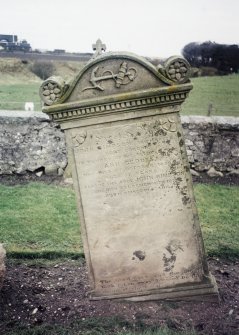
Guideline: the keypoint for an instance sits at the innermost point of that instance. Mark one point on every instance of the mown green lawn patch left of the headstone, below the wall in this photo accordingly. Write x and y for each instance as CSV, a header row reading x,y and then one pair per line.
x,y
39,220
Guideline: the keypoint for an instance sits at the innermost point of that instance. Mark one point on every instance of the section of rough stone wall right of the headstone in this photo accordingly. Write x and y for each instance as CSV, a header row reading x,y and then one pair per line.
x,y
212,142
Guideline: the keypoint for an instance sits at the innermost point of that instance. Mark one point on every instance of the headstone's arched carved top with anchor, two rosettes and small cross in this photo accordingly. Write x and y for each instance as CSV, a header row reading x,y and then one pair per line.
x,y
116,73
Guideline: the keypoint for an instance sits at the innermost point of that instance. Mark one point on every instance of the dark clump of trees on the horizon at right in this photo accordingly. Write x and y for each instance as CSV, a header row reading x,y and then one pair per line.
x,y
223,57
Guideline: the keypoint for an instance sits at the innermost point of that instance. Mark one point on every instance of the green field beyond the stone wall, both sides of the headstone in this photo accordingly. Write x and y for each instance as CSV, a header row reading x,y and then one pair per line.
x,y
221,92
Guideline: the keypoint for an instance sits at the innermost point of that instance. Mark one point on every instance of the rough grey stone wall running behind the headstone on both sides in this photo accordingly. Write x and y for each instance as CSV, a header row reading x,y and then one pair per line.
x,y
30,142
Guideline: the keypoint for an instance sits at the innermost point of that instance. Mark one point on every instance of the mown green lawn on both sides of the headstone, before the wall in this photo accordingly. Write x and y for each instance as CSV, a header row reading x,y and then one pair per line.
x,y
39,220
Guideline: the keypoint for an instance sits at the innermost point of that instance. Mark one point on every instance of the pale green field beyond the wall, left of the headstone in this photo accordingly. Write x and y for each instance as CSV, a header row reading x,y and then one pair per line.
x,y
14,96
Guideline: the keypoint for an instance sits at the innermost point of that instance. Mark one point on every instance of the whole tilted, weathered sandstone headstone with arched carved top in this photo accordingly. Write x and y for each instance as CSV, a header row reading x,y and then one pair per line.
x,y
139,222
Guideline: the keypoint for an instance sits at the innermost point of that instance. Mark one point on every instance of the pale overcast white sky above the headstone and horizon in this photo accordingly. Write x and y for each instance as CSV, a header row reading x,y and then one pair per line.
x,y
154,28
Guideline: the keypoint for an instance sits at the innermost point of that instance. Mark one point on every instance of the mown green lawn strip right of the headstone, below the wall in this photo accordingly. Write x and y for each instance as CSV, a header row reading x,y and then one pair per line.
x,y
218,208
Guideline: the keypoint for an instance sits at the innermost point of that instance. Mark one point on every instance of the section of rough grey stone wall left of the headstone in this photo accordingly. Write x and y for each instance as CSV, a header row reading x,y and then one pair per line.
x,y
30,143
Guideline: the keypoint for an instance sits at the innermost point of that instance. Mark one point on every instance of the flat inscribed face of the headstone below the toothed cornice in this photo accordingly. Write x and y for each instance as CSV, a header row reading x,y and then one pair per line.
x,y
135,197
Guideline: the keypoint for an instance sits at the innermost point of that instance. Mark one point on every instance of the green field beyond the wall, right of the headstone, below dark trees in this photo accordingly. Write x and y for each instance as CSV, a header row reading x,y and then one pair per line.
x,y
222,92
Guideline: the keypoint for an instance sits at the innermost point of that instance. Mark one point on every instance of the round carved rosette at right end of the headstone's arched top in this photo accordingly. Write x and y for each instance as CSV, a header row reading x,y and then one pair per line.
x,y
177,69
